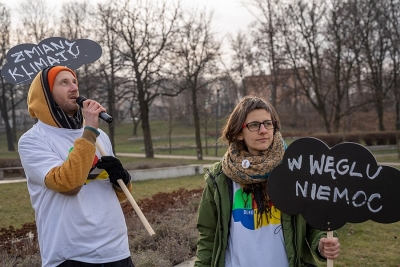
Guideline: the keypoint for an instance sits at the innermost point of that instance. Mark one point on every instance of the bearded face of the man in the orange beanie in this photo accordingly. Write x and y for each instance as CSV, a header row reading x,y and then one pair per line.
x,y
65,92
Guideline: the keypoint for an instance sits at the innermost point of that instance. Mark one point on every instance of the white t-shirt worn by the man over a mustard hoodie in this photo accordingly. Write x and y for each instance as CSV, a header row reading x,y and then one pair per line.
x,y
88,227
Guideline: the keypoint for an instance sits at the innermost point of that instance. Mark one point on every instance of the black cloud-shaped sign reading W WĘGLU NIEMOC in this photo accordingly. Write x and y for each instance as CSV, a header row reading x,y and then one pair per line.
x,y
330,187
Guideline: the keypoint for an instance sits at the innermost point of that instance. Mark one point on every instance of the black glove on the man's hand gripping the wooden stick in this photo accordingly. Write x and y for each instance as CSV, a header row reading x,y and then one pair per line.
x,y
114,168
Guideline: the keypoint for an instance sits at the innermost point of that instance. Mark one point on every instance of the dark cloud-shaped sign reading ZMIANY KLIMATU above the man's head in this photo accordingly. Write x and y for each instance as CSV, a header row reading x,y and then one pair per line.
x,y
24,61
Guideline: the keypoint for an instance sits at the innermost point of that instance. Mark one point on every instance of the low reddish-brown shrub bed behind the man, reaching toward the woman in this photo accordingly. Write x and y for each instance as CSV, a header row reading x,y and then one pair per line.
x,y
171,215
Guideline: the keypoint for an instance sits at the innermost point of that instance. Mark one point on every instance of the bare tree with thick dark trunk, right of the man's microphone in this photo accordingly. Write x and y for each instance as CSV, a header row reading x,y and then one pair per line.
x,y
147,32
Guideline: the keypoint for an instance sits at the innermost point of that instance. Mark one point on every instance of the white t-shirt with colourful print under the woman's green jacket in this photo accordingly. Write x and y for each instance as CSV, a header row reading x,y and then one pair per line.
x,y
252,245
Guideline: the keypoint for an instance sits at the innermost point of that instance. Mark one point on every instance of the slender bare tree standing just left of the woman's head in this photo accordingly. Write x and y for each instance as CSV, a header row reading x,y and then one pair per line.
x,y
198,54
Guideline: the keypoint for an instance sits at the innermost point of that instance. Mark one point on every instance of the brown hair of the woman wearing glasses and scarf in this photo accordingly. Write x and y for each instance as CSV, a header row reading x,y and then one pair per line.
x,y
233,126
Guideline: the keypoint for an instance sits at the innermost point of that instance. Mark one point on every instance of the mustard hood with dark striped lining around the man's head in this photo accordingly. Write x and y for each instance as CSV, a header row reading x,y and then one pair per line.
x,y
42,106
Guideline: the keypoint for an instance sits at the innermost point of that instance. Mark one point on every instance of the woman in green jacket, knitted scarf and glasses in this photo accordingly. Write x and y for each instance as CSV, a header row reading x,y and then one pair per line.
x,y
237,223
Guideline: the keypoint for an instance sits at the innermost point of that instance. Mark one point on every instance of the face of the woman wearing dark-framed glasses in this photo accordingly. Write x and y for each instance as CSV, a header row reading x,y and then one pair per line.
x,y
258,140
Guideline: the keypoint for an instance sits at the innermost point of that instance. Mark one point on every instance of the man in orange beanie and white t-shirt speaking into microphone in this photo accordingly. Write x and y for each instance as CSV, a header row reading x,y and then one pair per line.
x,y
75,194
